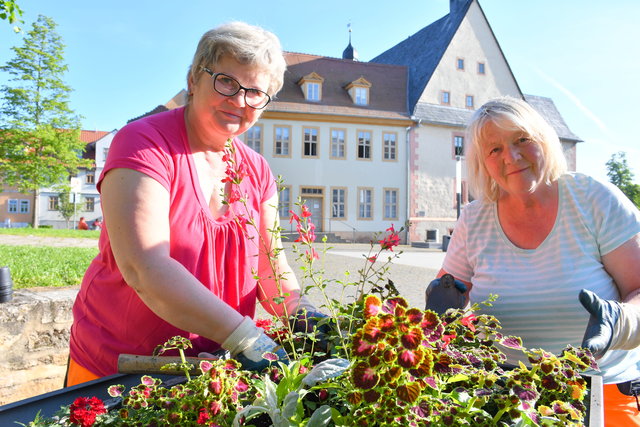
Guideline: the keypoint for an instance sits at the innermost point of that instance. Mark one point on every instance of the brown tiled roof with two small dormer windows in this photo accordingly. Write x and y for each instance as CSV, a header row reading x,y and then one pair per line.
x,y
388,92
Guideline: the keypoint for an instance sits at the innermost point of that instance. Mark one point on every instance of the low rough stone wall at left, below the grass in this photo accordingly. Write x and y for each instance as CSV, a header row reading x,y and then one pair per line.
x,y
34,342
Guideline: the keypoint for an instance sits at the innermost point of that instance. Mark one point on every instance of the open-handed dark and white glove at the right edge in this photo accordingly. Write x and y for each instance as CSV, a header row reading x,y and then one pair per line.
x,y
612,326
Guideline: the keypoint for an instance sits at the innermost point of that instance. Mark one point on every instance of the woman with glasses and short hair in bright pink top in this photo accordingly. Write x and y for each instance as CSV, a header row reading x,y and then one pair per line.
x,y
188,210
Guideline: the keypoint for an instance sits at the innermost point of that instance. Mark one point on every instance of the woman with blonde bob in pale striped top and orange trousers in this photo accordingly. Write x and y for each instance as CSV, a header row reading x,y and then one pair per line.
x,y
561,250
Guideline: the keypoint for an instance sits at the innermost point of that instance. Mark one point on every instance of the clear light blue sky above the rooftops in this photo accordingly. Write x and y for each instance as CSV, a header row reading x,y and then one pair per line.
x,y
127,57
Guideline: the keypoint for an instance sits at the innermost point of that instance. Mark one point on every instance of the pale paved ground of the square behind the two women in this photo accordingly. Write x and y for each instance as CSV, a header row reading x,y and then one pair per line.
x,y
410,272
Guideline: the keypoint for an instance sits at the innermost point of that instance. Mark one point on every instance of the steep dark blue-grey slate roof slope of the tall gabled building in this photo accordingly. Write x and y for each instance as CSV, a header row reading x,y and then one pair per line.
x,y
422,51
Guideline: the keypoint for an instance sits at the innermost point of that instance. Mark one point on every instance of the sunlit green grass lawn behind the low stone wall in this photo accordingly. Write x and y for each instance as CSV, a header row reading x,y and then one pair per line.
x,y
48,266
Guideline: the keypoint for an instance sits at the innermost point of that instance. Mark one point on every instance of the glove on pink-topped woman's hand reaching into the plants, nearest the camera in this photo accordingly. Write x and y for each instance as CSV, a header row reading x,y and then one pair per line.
x,y
248,343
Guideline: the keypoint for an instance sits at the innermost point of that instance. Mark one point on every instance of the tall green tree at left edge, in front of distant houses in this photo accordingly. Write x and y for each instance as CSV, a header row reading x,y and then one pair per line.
x,y
39,133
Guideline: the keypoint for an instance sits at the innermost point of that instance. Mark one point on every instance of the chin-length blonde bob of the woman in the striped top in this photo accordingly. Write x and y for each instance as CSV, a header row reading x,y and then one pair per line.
x,y
510,114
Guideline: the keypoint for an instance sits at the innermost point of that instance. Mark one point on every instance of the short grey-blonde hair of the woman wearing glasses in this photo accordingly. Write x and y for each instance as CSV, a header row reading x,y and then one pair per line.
x,y
247,44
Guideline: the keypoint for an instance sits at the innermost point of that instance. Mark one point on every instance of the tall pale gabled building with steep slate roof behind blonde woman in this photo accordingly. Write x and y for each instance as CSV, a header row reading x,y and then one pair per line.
x,y
455,65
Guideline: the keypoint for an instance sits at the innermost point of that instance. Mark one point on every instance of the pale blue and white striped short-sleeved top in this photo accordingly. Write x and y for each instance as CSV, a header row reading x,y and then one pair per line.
x,y
538,288
